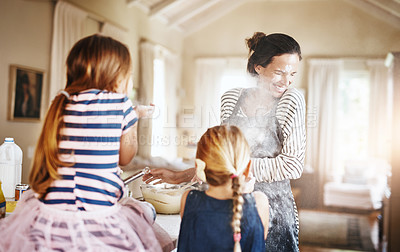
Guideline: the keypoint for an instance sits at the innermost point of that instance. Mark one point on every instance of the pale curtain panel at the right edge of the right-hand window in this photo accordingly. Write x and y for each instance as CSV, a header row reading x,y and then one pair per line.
x,y
379,137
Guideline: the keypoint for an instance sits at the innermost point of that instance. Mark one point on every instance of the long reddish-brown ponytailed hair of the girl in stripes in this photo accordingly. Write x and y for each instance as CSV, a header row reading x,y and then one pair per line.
x,y
96,62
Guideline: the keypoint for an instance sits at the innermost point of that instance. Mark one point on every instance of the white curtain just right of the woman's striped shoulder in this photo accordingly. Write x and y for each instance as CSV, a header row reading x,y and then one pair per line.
x,y
323,83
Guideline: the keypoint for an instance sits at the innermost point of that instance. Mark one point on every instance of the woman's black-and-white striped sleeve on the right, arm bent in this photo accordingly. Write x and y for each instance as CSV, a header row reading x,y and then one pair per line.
x,y
289,163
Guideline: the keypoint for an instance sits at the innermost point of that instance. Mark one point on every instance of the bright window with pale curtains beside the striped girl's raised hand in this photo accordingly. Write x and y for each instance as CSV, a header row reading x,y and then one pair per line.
x,y
160,75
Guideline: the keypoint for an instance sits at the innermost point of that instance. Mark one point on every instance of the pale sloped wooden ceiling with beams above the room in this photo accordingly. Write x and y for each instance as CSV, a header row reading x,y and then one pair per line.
x,y
189,16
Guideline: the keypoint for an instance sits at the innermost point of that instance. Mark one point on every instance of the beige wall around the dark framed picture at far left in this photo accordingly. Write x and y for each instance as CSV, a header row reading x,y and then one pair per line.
x,y
25,35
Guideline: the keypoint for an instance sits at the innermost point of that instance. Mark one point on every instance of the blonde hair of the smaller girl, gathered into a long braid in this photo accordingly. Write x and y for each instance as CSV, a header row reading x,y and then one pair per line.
x,y
224,149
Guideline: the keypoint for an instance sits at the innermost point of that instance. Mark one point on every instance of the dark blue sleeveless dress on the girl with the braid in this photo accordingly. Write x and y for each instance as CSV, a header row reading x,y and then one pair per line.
x,y
206,225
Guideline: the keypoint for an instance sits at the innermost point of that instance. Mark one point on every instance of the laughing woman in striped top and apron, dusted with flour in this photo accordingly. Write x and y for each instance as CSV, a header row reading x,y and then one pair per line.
x,y
272,118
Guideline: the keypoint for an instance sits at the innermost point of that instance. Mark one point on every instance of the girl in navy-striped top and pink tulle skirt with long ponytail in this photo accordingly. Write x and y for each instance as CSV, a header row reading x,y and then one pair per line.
x,y
76,199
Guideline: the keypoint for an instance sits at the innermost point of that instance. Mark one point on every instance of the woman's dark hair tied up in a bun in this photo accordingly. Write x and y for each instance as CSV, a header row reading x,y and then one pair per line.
x,y
262,48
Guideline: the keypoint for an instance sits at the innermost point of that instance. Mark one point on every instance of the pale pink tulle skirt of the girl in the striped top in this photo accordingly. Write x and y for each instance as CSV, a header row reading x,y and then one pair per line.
x,y
34,226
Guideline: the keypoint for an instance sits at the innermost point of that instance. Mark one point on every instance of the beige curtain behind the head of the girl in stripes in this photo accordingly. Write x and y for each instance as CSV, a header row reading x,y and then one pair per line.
x,y
68,25
